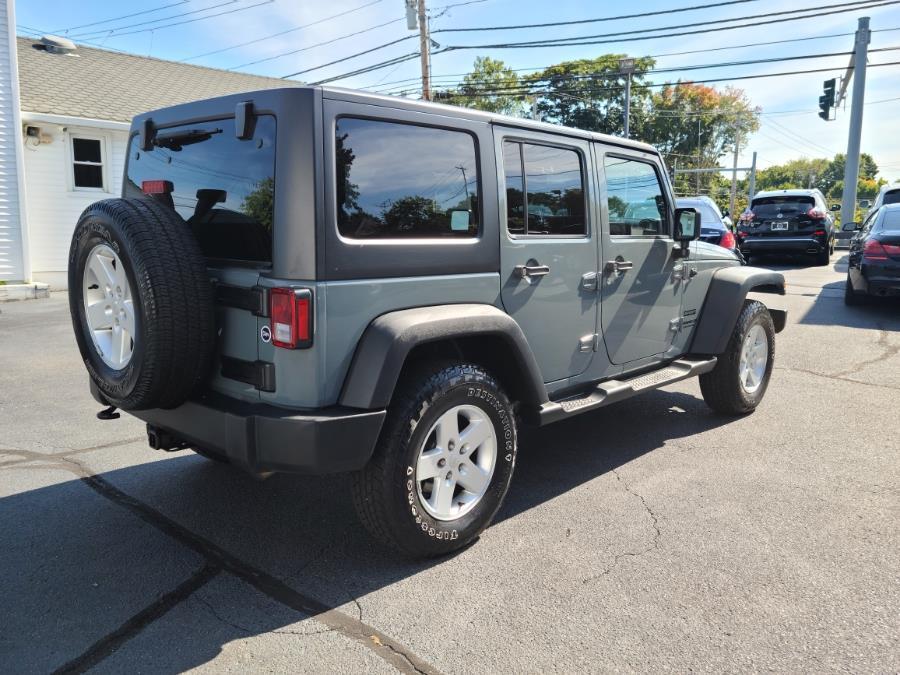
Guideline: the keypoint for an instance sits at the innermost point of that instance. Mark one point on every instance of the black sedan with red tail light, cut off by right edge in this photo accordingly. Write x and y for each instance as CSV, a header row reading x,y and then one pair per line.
x,y
874,268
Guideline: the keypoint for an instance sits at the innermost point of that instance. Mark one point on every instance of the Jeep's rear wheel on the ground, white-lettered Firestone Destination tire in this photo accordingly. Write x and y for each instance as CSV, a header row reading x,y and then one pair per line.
x,y
443,462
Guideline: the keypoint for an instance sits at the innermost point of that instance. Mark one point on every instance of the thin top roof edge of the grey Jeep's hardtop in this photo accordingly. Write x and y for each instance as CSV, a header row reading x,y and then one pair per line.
x,y
188,112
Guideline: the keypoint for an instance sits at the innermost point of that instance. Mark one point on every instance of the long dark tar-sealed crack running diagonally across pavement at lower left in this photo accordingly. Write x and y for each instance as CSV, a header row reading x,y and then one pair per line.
x,y
219,560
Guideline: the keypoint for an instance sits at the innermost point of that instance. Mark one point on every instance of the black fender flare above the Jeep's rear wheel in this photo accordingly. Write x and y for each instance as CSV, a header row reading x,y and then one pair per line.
x,y
389,338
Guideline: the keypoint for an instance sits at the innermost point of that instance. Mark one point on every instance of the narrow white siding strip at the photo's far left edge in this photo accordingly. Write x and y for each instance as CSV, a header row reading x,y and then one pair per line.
x,y
12,266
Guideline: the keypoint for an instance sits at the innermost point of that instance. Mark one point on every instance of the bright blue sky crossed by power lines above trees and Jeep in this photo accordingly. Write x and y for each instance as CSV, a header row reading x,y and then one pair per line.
x,y
796,133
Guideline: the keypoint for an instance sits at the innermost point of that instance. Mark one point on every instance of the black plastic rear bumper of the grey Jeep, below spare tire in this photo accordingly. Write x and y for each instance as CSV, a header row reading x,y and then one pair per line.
x,y
263,438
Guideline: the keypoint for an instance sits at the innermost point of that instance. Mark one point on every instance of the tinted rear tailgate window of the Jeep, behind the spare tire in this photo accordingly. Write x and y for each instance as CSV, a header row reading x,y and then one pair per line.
x,y
222,186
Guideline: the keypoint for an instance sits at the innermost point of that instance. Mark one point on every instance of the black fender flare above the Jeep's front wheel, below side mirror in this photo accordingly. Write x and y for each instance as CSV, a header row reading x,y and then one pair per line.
x,y
725,299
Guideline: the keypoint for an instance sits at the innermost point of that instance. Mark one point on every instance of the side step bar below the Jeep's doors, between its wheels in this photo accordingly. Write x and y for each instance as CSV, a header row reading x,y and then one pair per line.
x,y
612,391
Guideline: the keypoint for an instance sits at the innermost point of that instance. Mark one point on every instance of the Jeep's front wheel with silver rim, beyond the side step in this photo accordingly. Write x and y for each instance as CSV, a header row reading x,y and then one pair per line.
x,y
739,381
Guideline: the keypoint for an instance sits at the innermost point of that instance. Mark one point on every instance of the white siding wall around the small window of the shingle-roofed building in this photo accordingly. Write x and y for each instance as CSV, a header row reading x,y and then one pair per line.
x,y
54,203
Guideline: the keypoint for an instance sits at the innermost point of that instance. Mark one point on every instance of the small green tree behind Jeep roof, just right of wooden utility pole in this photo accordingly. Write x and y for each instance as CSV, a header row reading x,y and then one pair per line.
x,y
484,89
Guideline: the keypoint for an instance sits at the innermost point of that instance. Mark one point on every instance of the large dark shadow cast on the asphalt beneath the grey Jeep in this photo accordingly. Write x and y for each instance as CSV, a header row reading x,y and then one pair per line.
x,y
80,567
